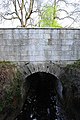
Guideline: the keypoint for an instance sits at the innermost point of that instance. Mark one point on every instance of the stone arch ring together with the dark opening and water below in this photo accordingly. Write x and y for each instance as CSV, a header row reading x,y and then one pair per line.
x,y
42,88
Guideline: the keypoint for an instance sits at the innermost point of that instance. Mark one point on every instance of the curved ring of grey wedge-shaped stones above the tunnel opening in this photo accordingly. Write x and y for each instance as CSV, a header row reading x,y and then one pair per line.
x,y
47,67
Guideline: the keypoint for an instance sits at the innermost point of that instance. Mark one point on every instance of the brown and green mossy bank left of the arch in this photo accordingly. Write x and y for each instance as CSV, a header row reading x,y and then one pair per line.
x,y
10,86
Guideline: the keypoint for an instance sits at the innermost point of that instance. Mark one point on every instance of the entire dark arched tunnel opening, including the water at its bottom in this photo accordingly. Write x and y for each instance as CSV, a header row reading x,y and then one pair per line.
x,y
41,97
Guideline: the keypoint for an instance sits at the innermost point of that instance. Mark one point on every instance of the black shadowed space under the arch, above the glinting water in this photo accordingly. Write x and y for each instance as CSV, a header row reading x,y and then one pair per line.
x,y
42,81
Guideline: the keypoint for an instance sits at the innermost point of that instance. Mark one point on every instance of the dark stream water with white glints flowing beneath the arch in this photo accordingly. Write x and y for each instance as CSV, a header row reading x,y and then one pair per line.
x,y
37,109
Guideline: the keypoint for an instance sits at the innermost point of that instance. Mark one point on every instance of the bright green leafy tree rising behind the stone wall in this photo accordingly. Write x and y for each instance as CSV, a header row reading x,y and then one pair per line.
x,y
48,17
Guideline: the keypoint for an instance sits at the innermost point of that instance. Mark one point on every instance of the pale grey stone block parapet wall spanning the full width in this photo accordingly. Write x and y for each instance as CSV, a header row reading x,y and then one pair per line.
x,y
39,44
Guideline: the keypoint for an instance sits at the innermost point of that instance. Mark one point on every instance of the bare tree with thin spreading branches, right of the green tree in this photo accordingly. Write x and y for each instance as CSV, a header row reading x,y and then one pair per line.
x,y
69,12
